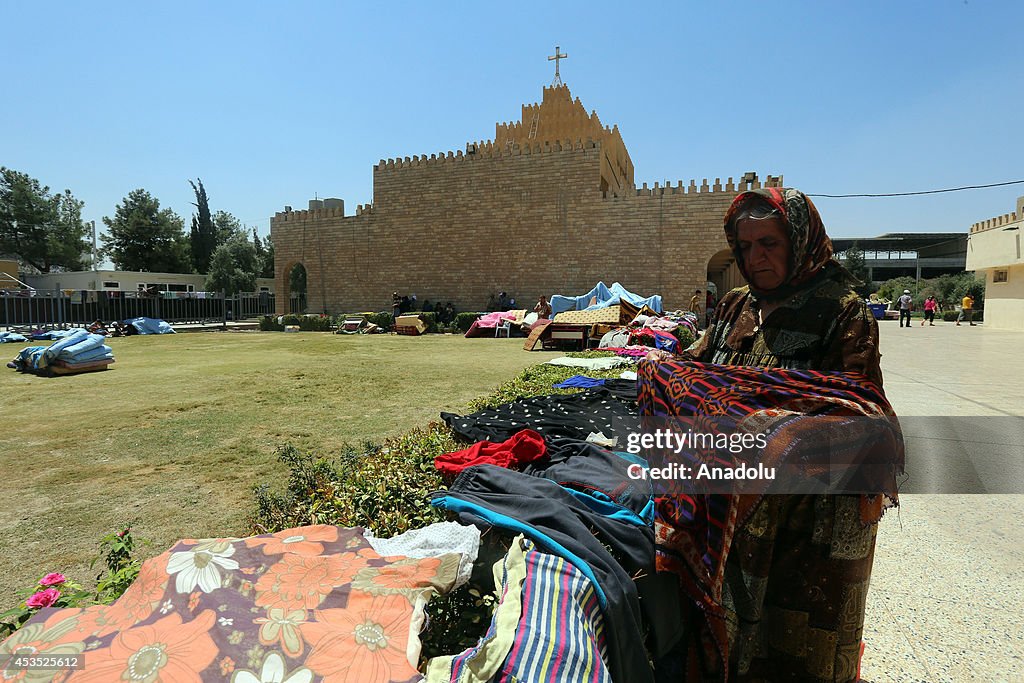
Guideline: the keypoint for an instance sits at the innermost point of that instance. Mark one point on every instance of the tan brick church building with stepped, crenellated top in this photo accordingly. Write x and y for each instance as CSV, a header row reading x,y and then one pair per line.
x,y
525,216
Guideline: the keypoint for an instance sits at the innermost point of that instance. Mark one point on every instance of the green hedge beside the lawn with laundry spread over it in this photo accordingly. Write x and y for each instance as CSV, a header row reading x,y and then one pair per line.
x,y
386,488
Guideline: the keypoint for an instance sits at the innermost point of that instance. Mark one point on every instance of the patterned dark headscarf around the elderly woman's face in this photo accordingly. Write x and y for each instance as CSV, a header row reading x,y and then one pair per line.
x,y
810,248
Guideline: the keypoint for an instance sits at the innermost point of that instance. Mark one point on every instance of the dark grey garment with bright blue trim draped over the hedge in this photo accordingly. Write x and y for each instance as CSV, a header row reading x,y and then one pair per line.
x,y
554,517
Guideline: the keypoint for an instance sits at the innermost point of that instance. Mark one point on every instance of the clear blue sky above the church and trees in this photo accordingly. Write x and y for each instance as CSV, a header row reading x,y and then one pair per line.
x,y
273,103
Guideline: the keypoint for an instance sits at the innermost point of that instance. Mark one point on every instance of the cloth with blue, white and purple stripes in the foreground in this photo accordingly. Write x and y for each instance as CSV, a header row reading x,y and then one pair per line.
x,y
561,637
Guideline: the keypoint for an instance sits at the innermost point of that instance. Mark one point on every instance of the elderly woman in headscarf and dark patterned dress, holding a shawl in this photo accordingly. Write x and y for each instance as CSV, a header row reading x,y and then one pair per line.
x,y
797,569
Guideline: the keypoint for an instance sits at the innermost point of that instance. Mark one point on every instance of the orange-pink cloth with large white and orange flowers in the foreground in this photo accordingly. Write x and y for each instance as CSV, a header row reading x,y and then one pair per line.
x,y
315,604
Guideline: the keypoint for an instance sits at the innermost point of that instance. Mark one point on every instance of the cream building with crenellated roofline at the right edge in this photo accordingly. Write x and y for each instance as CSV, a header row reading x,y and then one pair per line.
x,y
995,248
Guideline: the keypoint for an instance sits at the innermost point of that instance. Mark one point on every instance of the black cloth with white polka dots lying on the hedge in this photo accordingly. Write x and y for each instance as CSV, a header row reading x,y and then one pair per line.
x,y
573,416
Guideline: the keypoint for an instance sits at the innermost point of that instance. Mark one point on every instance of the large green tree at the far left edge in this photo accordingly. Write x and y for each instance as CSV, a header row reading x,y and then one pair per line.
x,y
42,231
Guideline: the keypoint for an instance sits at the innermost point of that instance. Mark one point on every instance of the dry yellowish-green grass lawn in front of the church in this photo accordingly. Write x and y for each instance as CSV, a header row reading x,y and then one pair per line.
x,y
177,435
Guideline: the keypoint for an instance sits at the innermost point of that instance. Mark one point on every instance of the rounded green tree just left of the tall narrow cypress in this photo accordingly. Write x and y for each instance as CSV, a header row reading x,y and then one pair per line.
x,y
144,237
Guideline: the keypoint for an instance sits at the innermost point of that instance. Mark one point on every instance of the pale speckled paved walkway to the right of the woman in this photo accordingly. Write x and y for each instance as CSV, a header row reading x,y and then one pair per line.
x,y
948,589
